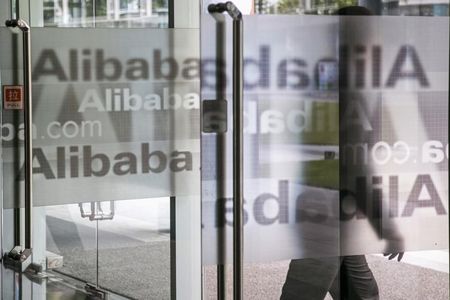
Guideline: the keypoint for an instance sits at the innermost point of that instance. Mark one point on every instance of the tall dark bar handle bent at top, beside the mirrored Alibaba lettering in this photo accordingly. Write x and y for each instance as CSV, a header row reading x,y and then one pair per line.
x,y
238,238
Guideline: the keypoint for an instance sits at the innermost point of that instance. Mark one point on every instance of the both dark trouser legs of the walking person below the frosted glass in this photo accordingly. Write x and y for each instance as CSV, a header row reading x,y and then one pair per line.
x,y
346,278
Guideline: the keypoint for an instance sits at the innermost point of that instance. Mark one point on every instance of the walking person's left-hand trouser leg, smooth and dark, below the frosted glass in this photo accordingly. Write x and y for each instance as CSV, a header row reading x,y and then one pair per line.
x,y
309,279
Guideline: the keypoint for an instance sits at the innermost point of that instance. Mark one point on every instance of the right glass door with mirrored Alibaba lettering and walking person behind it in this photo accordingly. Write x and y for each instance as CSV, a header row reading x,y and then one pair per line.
x,y
345,150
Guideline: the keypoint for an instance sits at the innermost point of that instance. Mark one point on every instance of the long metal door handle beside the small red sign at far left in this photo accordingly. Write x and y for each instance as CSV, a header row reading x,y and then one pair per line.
x,y
24,254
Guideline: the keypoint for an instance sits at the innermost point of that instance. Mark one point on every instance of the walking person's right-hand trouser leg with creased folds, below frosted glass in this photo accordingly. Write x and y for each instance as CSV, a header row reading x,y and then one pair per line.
x,y
359,282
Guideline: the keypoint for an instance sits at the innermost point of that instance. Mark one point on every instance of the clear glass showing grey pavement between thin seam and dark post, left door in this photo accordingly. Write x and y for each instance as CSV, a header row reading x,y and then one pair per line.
x,y
134,251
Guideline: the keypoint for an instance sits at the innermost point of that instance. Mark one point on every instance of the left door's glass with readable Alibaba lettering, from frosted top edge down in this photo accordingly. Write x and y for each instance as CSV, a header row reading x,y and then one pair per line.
x,y
117,128
